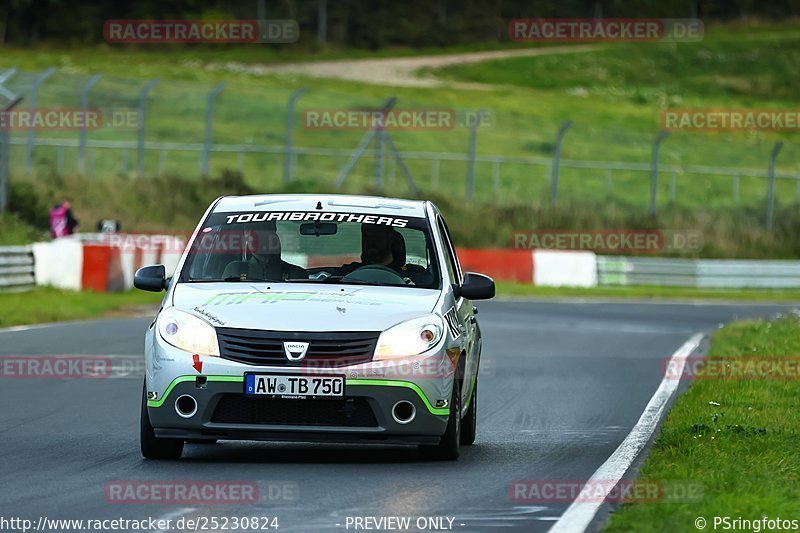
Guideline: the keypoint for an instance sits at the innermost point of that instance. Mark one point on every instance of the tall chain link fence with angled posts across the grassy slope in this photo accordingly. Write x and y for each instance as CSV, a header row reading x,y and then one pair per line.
x,y
155,127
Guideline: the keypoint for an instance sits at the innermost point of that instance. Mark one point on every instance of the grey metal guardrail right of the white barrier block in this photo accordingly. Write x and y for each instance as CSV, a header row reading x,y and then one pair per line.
x,y
705,273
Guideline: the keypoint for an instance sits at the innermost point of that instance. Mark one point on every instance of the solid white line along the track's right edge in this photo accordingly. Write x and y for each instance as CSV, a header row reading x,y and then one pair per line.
x,y
579,515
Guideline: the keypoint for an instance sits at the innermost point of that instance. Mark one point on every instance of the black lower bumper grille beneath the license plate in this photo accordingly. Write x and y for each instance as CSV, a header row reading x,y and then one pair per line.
x,y
239,409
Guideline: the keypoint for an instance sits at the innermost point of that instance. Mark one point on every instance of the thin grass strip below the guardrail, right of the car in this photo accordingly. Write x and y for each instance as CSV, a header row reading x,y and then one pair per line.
x,y
647,292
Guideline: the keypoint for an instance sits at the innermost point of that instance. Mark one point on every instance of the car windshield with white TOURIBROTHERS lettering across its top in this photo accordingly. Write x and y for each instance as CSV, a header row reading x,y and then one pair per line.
x,y
313,246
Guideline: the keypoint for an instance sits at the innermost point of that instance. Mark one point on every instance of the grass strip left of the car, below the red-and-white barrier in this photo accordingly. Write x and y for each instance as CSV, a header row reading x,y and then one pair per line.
x,y
46,304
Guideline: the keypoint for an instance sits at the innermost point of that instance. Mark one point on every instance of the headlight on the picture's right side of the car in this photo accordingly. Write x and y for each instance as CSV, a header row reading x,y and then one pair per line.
x,y
410,338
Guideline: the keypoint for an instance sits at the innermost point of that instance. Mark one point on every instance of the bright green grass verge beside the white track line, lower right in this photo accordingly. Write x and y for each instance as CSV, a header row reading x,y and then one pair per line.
x,y
743,450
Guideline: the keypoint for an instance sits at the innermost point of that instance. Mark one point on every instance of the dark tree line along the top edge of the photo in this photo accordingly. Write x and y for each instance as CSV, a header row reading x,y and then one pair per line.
x,y
367,24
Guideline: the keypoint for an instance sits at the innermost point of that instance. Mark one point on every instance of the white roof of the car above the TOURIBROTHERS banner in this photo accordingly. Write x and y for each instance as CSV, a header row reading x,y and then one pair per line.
x,y
335,203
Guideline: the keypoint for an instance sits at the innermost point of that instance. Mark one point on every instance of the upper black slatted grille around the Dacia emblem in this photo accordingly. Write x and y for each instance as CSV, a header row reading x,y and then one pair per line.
x,y
326,349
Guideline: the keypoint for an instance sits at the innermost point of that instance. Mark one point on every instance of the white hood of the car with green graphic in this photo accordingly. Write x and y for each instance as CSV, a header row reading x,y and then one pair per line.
x,y
303,307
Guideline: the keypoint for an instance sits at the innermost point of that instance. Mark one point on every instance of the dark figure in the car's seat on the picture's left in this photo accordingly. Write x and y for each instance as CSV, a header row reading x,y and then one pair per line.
x,y
264,246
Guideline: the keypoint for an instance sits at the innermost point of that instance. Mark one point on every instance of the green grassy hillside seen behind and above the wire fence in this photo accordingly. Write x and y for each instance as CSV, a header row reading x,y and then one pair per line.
x,y
615,116
